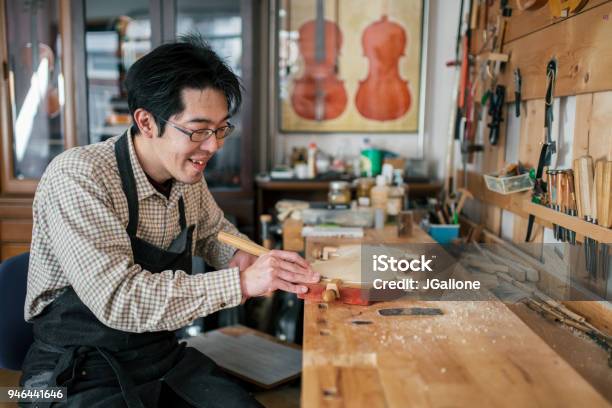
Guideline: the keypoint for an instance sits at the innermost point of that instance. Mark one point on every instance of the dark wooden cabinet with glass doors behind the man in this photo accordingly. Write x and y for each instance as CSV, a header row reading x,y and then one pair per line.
x,y
63,63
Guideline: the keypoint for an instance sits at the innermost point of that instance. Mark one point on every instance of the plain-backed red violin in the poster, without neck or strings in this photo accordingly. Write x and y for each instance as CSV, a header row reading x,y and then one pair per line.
x,y
383,95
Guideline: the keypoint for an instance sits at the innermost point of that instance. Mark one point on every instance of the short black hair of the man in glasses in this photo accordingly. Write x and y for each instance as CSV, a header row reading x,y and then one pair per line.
x,y
155,81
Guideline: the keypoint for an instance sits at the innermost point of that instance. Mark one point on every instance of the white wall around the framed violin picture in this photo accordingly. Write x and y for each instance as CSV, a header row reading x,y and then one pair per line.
x,y
442,27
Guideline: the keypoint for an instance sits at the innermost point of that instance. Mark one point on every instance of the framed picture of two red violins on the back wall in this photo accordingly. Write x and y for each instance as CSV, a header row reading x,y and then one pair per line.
x,y
350,65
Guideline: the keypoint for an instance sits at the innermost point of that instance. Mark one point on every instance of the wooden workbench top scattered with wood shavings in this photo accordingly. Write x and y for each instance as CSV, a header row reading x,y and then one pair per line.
x,y
474,354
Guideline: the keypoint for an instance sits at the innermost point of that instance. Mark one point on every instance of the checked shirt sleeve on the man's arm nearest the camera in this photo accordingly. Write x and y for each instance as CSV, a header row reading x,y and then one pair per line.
x,y
94,252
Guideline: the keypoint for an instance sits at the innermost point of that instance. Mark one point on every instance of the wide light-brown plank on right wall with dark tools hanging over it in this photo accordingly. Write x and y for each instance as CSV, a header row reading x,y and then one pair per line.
x,y
581,45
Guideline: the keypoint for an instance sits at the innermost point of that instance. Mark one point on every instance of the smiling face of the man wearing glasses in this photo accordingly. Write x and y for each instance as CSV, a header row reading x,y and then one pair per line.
x,y
180,158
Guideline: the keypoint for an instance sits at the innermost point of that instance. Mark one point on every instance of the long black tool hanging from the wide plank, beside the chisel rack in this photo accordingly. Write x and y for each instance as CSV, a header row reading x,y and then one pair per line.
x,y
548,147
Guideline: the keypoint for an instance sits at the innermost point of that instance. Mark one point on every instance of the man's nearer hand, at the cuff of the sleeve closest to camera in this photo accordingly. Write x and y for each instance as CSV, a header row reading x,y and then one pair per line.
x,y
277,269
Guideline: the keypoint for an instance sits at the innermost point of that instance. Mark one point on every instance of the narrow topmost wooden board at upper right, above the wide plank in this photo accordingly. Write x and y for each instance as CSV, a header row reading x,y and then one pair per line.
x,y
525,22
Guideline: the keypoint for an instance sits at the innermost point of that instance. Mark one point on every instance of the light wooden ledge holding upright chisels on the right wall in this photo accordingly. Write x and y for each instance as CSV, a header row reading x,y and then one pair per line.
x,y
572,223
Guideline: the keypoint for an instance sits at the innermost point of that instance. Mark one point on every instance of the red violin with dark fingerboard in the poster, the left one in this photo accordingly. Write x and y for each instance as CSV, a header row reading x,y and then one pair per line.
x,y
319,94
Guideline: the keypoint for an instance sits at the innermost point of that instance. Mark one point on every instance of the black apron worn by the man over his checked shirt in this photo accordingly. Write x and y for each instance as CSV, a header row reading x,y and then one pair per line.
x,y
104,367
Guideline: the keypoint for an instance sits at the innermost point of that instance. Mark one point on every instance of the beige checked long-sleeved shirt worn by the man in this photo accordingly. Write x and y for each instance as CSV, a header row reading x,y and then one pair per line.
x,y
79,239
